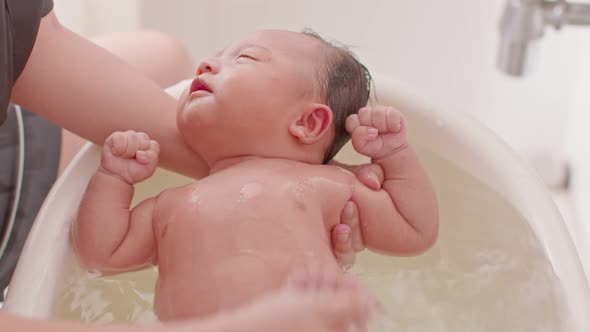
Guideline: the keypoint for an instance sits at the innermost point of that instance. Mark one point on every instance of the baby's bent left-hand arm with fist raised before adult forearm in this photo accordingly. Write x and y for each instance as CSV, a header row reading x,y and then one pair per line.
x,y
107,235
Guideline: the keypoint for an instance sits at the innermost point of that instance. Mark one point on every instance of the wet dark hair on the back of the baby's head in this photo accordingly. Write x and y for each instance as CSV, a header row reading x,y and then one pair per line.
x,y
345,84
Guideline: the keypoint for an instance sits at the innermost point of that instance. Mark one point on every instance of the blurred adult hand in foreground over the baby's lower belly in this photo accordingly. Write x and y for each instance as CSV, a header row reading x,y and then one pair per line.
x,y
318,301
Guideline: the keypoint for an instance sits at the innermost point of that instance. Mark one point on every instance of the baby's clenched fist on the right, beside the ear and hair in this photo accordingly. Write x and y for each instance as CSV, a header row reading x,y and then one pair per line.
x,y
377,132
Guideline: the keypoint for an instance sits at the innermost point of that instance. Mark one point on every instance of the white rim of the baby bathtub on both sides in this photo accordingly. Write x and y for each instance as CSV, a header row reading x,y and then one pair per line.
x,y
480,149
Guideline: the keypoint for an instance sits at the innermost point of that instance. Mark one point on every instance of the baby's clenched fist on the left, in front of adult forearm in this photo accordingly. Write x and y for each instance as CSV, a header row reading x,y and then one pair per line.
x,y
130,155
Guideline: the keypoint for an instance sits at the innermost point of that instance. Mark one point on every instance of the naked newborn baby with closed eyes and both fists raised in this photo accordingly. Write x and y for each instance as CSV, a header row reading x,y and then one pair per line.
x,y
266,113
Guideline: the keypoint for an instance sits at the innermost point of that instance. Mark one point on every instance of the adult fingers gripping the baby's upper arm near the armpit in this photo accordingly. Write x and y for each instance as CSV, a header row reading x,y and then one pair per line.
x,y
347,239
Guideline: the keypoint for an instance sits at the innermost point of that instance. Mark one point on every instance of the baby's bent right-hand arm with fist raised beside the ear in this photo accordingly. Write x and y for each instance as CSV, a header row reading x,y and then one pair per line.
x,y
401,218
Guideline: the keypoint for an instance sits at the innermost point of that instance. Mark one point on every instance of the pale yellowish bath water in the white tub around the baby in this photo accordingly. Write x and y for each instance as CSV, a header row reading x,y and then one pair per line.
x,y
488,272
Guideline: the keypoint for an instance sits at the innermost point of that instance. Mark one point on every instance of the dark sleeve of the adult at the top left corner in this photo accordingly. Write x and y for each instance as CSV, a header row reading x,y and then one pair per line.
x,y
19,24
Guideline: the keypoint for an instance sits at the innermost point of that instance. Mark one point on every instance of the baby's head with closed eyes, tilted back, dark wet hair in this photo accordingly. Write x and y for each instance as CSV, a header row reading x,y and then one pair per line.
x,y
276,94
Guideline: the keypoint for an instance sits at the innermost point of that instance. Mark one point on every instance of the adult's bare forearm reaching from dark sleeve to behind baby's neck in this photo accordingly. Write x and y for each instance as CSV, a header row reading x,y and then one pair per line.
x,y
89,91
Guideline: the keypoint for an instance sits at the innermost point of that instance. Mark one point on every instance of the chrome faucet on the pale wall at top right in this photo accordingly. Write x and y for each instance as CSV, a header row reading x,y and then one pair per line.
x,y
522,26
